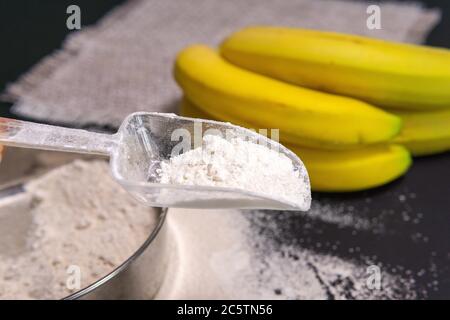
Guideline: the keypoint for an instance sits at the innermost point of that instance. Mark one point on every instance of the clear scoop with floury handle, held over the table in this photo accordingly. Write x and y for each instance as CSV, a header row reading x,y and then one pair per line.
x,y
137,149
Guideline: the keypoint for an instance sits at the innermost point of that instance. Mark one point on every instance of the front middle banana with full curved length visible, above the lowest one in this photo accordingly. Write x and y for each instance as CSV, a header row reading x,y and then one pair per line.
x,y
309,117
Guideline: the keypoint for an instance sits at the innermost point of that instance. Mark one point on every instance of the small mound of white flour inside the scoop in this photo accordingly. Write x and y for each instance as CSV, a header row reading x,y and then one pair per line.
x,y
237,163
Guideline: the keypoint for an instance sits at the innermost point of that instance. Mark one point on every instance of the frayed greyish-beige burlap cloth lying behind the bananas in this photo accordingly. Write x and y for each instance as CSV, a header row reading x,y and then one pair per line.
x,y
124,63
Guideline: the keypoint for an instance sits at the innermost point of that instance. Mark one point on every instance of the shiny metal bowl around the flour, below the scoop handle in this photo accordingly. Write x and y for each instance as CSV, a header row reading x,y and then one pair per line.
x,y
138,277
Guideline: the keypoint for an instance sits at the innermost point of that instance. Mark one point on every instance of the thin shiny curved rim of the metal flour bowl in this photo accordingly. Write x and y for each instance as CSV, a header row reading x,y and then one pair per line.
x,y
124,265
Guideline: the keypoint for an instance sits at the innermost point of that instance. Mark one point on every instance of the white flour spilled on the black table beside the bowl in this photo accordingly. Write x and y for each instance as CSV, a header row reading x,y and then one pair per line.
x,y
225,254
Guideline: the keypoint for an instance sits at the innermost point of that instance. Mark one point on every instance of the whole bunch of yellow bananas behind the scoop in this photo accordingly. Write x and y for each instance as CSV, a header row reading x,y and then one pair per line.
x,y
324,92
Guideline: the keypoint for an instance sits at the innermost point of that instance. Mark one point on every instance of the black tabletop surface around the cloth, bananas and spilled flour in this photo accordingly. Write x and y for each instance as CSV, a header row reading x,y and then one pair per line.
x,y
413,213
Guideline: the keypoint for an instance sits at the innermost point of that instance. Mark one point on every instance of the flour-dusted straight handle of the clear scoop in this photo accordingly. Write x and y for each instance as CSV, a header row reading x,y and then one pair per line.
x,y
32,135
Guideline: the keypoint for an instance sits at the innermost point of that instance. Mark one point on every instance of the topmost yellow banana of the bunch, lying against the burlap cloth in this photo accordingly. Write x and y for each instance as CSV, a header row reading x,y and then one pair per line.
x,y
380,72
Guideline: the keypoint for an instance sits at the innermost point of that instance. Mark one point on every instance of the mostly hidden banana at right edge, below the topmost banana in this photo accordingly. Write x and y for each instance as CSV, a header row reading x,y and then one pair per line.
x,y
425,133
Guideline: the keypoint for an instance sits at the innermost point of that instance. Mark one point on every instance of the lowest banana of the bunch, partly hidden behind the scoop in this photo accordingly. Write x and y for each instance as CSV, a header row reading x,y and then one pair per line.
x,y
339,170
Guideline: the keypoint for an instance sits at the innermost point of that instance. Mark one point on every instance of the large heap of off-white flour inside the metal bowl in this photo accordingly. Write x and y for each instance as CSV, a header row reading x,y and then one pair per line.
x,y
77,216
